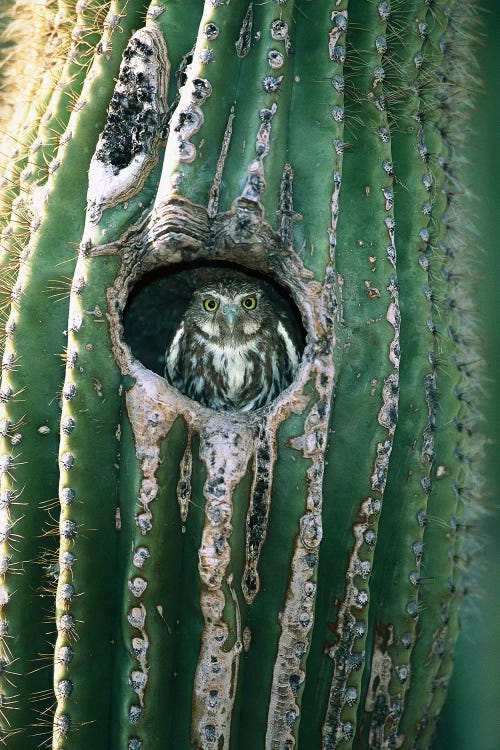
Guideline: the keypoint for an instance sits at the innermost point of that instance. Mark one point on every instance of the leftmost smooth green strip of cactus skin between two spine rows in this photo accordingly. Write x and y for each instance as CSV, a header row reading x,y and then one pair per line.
x,y
28,540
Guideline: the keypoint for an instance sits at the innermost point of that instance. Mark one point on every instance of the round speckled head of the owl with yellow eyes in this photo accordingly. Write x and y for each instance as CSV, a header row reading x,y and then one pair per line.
x,y
231,308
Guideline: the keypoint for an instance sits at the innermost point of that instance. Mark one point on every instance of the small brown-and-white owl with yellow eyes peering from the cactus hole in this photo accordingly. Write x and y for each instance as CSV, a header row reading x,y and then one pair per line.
x,y
234,349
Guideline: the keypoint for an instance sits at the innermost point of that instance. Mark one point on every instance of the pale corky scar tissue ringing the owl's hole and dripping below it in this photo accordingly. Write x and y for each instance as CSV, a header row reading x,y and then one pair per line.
x,y
230,444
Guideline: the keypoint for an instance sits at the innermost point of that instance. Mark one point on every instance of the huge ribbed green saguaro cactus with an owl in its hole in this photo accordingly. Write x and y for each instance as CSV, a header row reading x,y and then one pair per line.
x,y
175,576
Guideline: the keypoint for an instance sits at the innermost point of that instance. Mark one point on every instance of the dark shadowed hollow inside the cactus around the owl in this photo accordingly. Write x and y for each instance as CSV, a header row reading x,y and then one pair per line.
x,y
158,303
